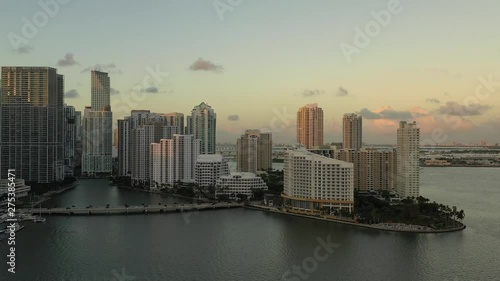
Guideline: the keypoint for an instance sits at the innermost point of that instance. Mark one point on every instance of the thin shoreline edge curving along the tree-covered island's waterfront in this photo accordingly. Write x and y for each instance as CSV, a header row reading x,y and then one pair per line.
x,y
269,209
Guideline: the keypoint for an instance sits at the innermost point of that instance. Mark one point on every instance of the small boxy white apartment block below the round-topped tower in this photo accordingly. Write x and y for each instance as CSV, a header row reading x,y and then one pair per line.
x,y
209,168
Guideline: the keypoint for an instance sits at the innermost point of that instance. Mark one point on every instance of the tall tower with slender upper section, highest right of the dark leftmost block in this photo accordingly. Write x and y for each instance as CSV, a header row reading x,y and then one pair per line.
x,y
97,129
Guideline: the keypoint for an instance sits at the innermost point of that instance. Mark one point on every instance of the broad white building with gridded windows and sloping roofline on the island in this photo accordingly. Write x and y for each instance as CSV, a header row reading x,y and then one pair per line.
x,y
313,183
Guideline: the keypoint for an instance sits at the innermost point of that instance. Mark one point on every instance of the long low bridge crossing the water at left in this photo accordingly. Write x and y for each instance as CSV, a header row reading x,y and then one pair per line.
x,y
117,210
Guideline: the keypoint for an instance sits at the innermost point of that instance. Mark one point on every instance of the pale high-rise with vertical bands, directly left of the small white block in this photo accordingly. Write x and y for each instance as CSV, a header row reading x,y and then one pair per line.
x,y
173,160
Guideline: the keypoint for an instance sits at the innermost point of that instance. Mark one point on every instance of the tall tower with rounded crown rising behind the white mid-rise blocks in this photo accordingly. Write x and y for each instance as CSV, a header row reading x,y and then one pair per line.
x,y
202,124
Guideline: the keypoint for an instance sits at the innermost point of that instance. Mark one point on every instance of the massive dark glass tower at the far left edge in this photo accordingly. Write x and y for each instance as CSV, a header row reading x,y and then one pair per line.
x,y
31,120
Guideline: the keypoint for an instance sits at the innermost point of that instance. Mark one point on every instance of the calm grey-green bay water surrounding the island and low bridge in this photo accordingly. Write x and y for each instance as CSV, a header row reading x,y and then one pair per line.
x,y
242,244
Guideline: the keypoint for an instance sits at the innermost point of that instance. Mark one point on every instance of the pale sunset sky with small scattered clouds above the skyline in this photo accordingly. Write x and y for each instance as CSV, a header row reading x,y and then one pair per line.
x,y
256,62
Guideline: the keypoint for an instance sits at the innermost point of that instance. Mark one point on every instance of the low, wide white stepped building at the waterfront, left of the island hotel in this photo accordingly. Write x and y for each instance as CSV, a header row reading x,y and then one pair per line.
x,y
239,183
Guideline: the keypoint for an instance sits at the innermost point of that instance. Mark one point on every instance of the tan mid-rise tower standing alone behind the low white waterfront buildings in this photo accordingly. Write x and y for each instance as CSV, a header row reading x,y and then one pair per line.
x,y
254,151
